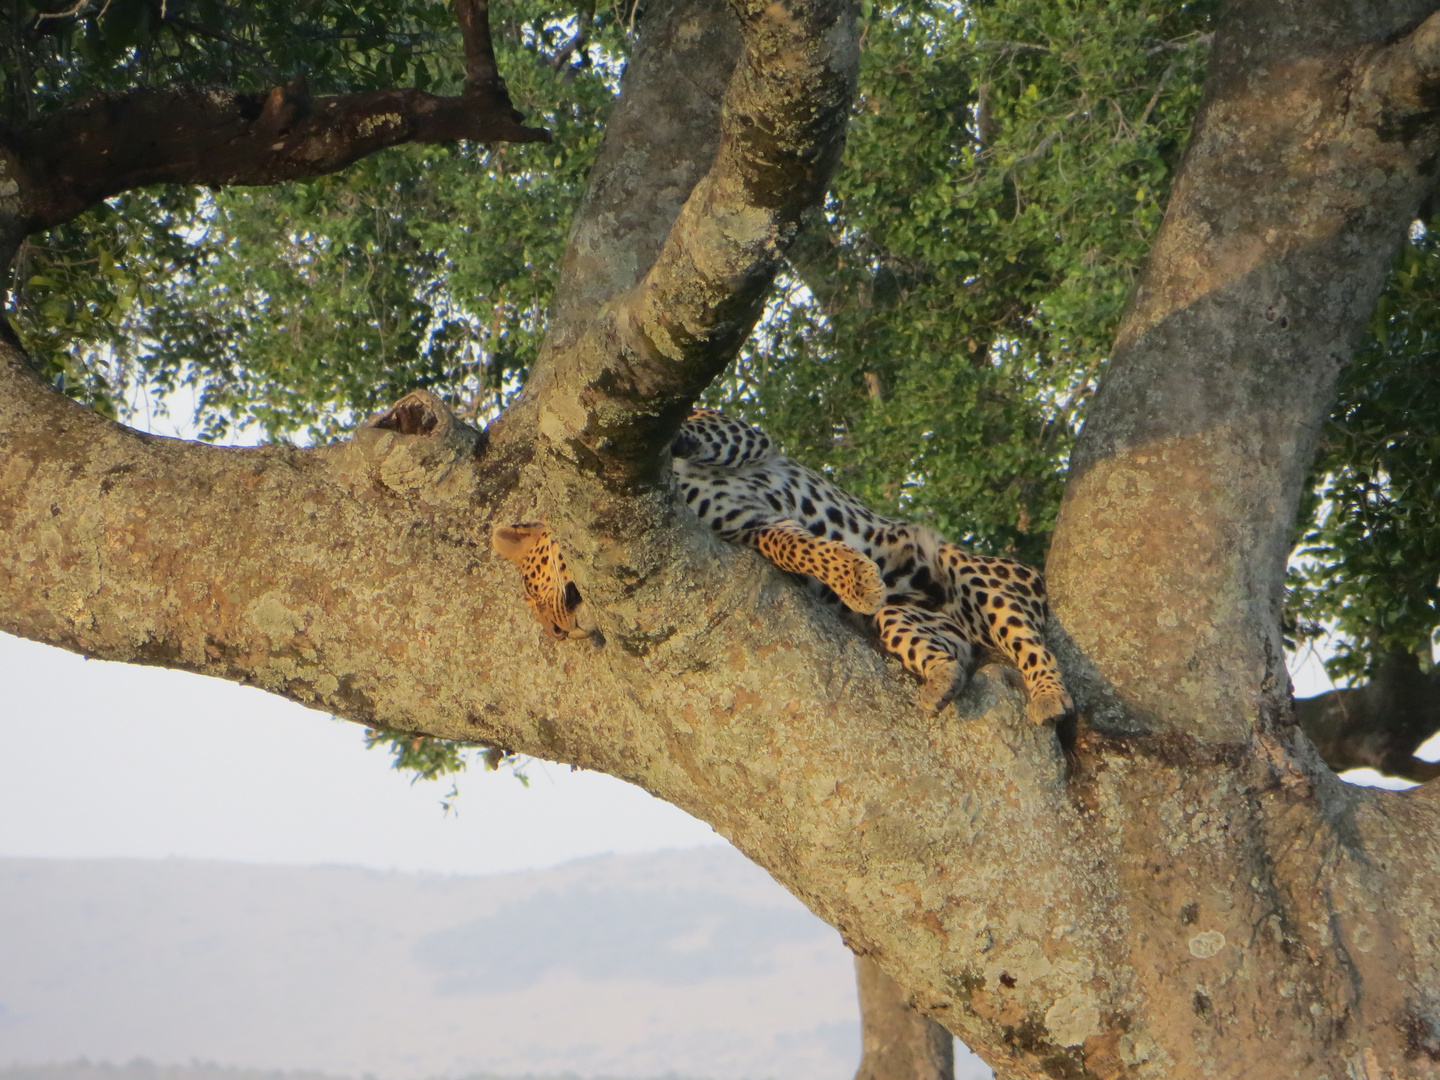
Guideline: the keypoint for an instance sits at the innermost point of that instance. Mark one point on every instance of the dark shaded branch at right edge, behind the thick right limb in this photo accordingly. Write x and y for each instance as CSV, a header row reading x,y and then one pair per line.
x,y
1380,725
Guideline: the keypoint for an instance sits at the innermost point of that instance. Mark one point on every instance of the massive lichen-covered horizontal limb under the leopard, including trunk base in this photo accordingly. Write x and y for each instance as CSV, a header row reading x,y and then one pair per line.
x,y
954,850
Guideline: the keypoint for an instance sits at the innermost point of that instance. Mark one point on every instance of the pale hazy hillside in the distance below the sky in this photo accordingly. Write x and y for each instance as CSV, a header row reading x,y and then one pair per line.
x,y
685,963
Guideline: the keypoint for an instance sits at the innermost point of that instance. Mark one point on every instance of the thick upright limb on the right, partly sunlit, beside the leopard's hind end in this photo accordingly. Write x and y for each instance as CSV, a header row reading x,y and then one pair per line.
x,y
1170,554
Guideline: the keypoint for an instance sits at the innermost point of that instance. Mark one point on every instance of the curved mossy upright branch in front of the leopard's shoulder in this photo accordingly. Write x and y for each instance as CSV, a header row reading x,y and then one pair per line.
x,y
611,402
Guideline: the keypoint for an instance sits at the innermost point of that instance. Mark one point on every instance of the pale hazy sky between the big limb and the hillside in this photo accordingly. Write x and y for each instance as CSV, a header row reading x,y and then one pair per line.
x,y
114,761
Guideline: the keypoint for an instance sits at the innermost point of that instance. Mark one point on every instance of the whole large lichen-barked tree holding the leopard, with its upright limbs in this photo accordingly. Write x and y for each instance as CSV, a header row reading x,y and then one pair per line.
x,y
1189,894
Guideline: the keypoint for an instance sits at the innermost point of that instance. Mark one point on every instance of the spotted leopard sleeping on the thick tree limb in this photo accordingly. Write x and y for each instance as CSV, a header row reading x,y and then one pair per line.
x,y
934,604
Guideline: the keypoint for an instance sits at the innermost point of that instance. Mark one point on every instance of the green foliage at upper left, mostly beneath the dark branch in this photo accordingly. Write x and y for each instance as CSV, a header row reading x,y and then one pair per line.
x,y
297,310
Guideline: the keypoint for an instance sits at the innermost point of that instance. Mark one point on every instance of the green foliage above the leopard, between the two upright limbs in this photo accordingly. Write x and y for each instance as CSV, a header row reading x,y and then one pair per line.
x,y
950,313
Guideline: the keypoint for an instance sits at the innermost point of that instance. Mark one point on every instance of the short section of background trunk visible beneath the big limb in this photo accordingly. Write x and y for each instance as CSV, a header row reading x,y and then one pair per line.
x,y
896,1042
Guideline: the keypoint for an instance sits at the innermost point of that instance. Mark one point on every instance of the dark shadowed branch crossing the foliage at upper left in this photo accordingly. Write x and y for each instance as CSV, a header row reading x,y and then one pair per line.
x,y
77,158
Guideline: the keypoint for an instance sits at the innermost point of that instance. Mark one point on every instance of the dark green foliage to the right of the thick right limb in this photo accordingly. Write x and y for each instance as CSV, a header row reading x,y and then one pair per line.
x,y
1369,570
